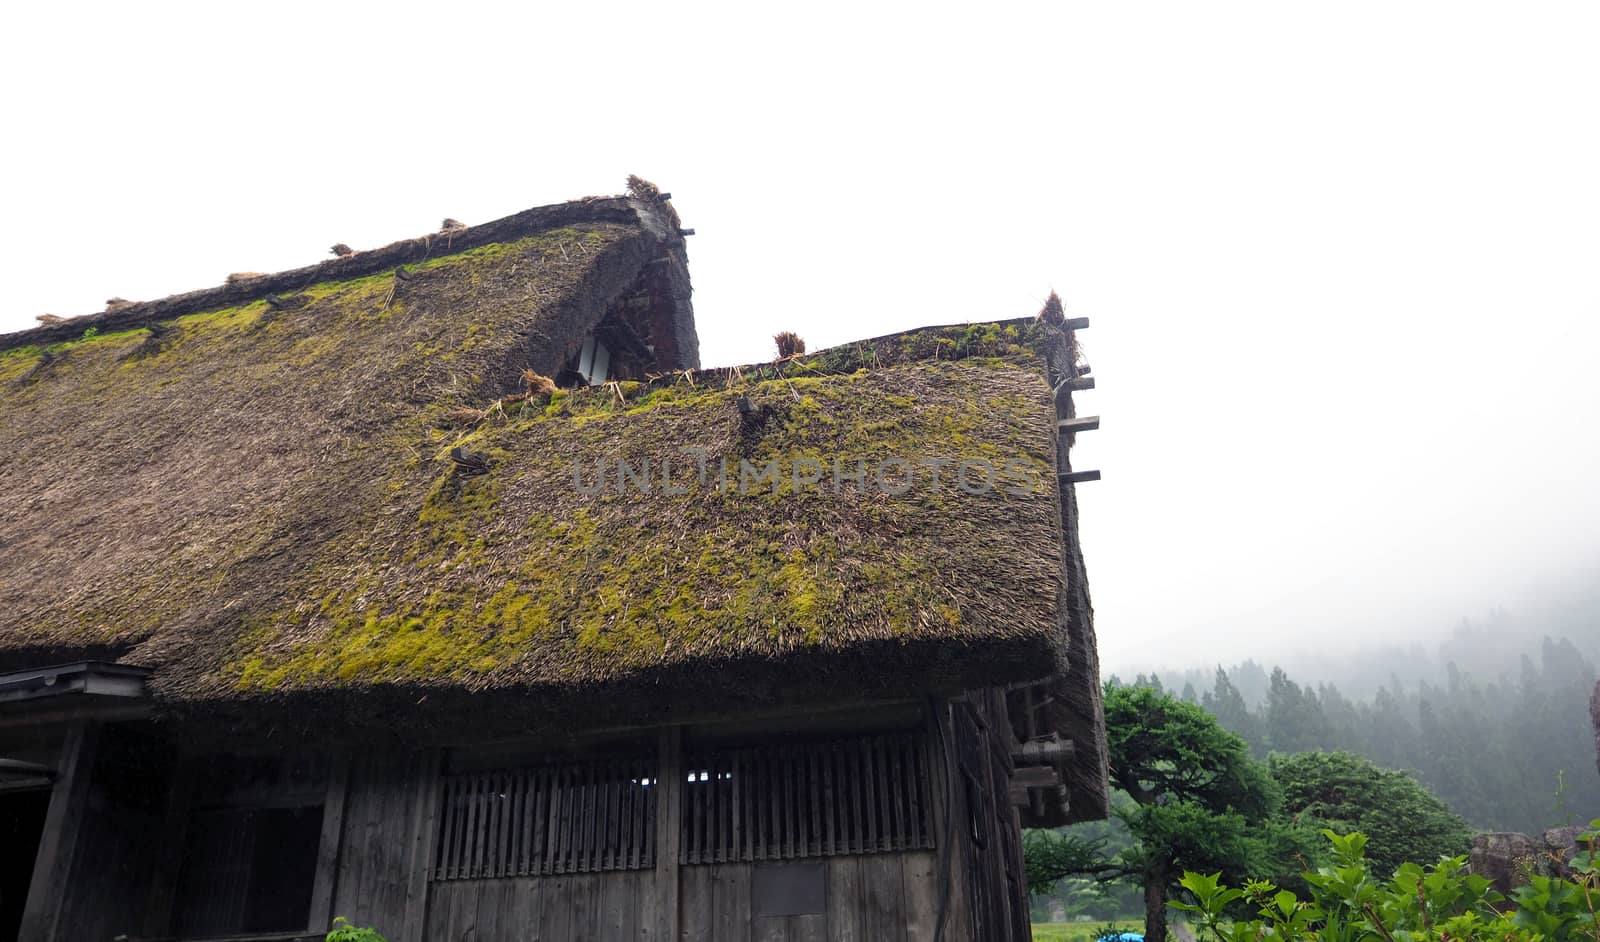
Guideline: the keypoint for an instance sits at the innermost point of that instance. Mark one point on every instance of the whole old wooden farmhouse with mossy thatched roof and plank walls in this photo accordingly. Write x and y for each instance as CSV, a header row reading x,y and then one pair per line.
x,y
319,599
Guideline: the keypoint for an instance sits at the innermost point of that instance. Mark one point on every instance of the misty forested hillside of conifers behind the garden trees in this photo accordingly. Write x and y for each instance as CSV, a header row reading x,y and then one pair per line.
x,y
1505,741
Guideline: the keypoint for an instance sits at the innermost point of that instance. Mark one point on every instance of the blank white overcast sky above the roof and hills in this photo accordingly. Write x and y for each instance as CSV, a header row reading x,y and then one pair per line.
x,y
1340,260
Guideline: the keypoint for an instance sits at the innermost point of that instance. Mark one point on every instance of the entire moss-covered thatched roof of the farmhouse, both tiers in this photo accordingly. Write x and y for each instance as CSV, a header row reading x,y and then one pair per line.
x,y
250,490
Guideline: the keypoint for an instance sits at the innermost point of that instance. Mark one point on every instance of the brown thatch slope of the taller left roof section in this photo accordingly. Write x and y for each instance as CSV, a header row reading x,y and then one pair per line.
x,y
161,482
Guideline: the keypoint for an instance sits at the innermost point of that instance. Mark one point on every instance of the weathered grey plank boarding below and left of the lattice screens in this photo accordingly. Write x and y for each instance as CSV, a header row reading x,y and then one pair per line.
x,y
889,896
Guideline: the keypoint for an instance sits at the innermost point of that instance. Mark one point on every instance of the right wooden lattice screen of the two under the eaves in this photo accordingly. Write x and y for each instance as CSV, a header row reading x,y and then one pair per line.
x,y
855,797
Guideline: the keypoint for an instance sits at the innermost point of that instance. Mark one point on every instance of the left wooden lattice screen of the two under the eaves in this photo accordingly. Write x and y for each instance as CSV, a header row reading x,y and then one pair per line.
x,y
550,820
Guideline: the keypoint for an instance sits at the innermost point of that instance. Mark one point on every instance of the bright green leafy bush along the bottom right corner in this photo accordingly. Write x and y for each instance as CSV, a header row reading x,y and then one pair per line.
x,y
1442,903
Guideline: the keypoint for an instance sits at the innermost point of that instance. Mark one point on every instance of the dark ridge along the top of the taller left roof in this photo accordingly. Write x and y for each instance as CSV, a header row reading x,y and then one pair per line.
x,y
622,210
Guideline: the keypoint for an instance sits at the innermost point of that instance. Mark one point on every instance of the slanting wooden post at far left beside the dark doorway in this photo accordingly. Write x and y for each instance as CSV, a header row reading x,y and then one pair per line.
x,y
47,895
